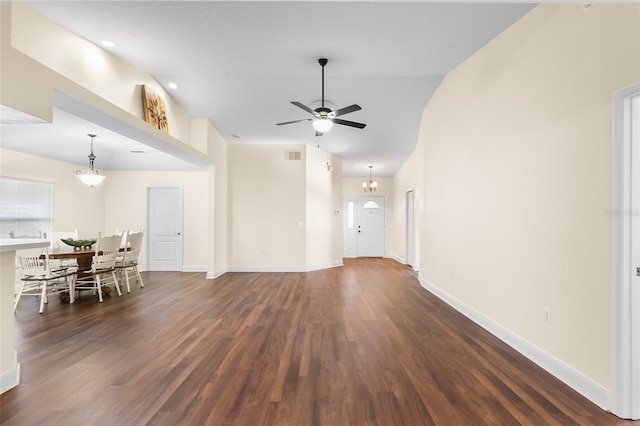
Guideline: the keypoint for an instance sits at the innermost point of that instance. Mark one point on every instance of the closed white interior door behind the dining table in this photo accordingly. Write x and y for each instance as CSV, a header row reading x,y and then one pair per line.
x,y
165,229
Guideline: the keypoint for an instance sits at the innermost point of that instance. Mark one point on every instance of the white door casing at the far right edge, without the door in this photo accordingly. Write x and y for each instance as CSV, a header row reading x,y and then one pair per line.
x,y
625,374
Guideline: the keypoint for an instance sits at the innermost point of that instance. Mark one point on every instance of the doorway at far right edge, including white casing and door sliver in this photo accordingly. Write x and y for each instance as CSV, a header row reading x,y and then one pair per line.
x,y
625,219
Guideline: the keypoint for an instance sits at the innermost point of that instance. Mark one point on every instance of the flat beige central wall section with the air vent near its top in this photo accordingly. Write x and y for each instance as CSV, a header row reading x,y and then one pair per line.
x,y
266,208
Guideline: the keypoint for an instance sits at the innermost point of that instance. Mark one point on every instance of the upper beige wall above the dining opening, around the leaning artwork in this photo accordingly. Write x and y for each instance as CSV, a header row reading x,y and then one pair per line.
x,y
32,68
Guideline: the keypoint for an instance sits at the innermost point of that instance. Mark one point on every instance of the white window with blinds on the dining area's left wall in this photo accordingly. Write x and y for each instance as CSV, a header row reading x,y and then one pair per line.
x,y
25,209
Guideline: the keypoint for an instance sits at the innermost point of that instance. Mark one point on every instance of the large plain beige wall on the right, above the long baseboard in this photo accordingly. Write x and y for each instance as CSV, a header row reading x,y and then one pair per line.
x,y
517,148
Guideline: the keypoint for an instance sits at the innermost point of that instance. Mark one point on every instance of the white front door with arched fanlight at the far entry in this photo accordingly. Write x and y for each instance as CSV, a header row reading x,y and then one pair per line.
x,y
370,214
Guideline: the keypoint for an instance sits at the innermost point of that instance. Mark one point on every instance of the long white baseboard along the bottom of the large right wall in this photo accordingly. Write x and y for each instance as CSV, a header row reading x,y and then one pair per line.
x,y
581,384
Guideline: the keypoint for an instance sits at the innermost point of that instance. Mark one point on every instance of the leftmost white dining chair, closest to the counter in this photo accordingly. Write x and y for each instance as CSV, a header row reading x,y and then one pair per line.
x,y
37,279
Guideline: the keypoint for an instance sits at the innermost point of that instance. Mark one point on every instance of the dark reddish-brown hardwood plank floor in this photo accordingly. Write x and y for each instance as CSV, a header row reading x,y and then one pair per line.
x,y
362,344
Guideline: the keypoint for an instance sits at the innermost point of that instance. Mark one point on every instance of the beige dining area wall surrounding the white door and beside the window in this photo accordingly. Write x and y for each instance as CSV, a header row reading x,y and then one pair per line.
x,y
119,202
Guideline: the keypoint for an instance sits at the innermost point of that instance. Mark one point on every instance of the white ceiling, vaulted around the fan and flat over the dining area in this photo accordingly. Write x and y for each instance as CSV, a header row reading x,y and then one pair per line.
x,y
241,63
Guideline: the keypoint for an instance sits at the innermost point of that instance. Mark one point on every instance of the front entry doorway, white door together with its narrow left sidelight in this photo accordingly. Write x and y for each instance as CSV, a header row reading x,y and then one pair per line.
x,y
364,227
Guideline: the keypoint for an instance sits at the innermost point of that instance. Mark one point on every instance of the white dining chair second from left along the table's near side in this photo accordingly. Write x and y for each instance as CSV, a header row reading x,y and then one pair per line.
x,y
103,266
